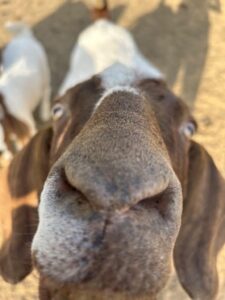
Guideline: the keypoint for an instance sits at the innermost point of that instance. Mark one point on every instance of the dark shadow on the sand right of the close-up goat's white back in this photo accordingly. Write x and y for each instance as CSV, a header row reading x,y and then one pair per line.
x,y
177,42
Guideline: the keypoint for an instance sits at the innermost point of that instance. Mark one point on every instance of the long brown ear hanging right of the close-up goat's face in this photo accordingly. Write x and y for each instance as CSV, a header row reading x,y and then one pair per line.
x,y
202,231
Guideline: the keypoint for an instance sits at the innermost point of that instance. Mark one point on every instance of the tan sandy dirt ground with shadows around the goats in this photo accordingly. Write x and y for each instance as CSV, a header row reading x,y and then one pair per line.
x,y
185,39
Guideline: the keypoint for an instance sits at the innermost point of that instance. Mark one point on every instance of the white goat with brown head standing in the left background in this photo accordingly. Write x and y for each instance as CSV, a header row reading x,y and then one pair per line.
x,y
24,82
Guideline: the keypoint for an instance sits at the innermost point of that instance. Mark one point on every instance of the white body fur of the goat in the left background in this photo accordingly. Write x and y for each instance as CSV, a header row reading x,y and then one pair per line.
x,y
25,79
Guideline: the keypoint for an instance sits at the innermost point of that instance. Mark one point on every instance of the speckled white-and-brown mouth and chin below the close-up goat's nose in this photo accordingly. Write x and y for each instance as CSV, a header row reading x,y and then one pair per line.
x,y
107,249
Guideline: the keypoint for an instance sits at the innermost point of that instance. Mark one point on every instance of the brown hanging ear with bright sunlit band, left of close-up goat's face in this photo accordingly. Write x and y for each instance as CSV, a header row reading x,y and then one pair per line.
x,y
21,184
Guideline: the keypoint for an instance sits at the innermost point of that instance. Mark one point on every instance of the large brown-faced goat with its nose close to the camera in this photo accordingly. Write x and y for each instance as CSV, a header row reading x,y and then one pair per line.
x,y
124,190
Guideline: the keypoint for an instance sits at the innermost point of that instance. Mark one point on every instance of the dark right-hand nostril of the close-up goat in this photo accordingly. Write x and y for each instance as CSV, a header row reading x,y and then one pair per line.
x,y
160,202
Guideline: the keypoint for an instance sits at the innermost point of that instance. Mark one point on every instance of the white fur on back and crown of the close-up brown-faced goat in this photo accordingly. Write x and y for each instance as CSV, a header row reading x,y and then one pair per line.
x,y
100,46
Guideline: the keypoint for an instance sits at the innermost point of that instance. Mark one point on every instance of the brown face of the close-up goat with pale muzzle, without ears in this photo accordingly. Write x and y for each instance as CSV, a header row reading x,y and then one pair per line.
x,y
110,210
